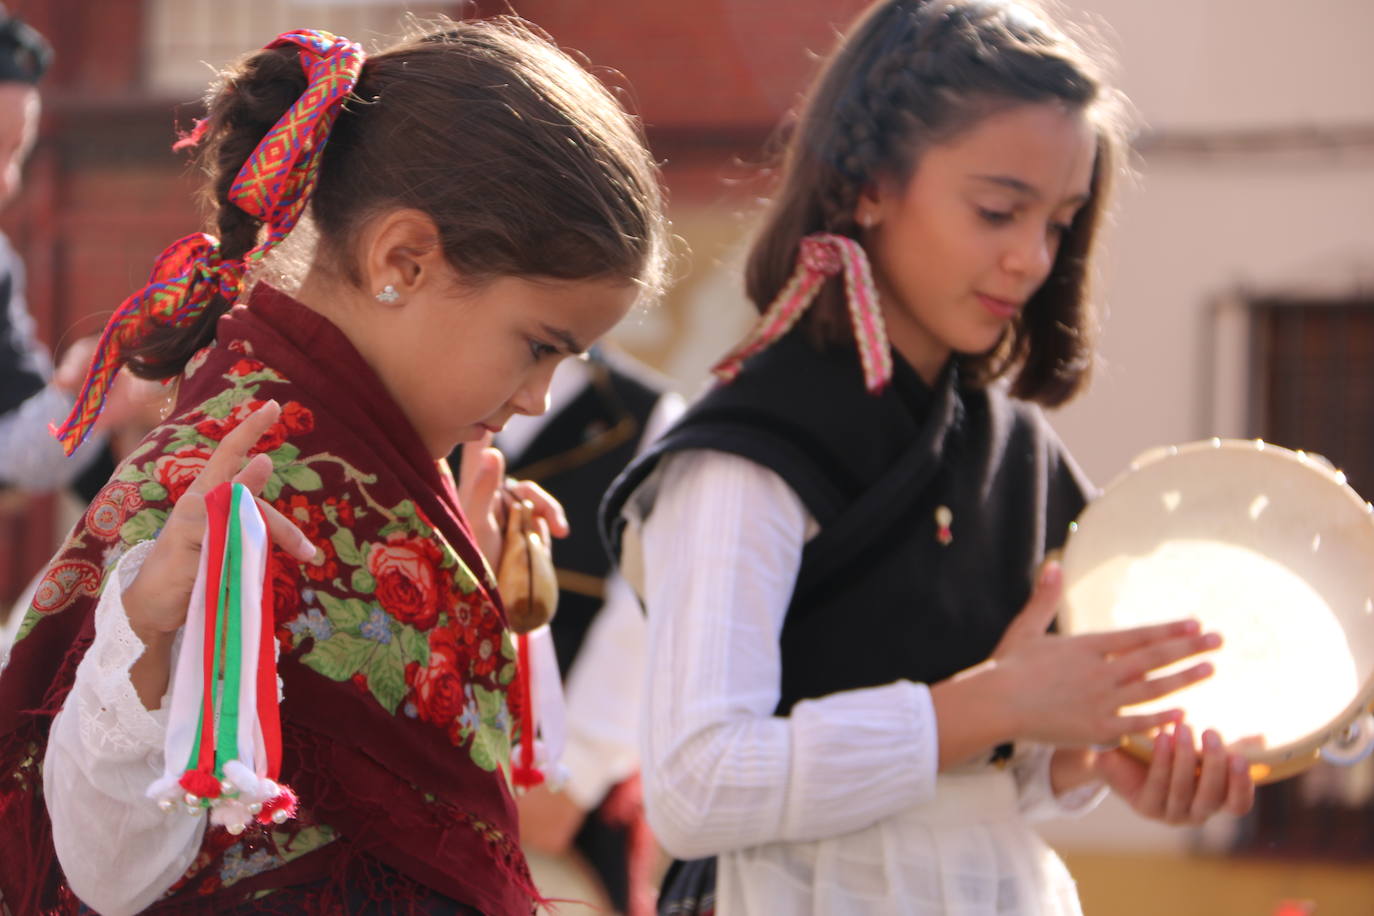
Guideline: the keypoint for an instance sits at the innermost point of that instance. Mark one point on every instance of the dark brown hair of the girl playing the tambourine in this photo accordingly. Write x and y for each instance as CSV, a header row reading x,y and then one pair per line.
x,y
916,73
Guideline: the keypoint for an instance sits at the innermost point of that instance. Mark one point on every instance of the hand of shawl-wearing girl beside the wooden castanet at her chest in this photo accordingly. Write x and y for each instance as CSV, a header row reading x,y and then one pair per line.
x,y
487,495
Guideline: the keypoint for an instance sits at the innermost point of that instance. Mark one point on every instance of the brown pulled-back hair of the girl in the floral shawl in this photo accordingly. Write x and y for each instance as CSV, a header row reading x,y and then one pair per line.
x,y
524,161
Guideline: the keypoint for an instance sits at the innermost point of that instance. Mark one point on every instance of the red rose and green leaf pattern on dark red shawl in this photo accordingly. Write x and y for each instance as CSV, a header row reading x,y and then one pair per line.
x,y
329,616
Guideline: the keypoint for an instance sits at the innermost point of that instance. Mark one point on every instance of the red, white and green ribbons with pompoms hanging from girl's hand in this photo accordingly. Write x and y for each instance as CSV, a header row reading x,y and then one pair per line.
x,y
223,746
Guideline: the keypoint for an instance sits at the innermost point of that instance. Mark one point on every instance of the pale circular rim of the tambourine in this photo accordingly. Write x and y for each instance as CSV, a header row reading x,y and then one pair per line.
x,y
1283,760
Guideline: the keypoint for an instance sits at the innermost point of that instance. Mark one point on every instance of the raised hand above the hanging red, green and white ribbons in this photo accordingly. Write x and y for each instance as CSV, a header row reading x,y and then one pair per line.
x,y
157,599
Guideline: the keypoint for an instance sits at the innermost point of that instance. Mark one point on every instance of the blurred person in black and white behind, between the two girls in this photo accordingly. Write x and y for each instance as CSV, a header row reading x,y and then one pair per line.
x,y
604,411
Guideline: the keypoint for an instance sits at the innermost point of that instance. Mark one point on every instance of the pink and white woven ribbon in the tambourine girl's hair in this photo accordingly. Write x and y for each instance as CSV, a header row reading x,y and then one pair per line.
x,y
821,257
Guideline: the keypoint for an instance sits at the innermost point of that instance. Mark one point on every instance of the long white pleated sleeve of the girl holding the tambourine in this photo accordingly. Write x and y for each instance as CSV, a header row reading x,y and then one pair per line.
x,y
721,551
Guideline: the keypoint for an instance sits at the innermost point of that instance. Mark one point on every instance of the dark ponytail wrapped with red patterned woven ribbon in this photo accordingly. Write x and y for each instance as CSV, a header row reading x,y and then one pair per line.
x,y
197,279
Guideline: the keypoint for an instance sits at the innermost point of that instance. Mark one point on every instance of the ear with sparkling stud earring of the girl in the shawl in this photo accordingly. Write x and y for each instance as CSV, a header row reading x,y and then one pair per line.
x,y
401,255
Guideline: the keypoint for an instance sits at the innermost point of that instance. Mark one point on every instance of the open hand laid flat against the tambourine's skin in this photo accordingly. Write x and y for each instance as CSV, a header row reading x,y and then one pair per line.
x,y
1070,690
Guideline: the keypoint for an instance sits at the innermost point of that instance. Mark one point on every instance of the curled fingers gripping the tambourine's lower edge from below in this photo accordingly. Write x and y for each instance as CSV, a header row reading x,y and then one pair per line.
x,y
1175,789
